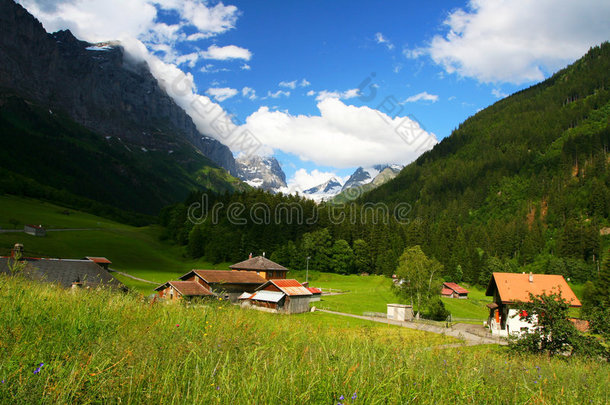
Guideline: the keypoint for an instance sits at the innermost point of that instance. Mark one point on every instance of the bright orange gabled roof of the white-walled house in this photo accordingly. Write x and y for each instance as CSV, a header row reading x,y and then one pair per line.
x,y
513,287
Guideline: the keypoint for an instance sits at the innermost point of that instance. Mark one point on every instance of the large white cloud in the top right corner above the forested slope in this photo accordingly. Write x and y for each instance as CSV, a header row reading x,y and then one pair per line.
x,y
517,41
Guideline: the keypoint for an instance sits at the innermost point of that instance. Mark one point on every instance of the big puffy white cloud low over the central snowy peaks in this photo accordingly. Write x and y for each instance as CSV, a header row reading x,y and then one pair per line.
x,y
341,136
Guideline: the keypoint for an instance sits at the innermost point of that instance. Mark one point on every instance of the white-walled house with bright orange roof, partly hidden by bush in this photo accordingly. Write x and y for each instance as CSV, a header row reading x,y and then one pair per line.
x,y
509,288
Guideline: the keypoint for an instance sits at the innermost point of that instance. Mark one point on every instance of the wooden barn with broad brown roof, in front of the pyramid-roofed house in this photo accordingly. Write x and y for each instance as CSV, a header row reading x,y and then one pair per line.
x,y
225,283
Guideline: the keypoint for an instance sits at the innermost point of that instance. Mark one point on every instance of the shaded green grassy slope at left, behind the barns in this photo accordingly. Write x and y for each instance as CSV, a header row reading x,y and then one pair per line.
x,y
137,251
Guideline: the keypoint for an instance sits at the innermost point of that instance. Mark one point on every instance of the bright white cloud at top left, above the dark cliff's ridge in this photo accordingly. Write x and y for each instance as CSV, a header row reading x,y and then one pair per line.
x,y
96,21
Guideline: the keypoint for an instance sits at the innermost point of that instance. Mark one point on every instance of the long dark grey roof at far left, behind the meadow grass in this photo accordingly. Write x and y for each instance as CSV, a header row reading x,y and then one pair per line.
x,y
65,272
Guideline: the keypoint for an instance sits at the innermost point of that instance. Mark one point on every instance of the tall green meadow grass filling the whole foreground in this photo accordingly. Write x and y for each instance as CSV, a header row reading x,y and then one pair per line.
x,y
105,347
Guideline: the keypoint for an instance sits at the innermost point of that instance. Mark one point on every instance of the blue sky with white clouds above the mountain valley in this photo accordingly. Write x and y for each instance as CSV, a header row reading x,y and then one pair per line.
x,y
290,72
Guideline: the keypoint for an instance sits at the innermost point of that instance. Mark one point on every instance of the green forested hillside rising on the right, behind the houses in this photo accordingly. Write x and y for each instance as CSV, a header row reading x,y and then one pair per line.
x,y
520,186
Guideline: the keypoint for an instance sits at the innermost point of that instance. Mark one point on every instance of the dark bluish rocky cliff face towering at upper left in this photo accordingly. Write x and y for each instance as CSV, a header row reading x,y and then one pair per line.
x,y
96,86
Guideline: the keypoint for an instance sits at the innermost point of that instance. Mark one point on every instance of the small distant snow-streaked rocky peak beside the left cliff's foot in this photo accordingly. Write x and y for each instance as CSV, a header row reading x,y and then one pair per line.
x,y
260,172
